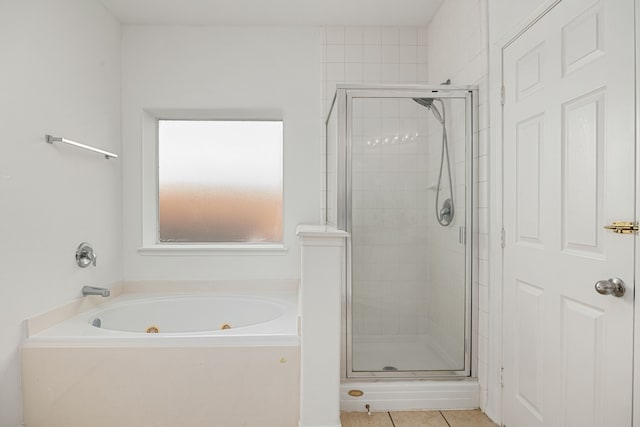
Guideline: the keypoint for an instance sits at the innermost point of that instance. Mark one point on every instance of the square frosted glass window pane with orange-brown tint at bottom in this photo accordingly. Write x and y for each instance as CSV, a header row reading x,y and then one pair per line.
x,y
220,181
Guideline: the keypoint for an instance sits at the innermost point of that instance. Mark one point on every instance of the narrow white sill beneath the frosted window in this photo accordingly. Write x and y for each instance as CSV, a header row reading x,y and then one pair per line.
x,y
222,249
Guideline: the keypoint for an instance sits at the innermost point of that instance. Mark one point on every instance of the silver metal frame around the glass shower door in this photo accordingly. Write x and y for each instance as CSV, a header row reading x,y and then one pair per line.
x,y
343,107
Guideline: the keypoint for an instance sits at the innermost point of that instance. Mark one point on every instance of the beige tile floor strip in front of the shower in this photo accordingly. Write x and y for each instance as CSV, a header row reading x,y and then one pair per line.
x,y
473,418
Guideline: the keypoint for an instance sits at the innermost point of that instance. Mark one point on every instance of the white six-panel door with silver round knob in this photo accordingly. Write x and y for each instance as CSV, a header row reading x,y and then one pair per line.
x,y
568,172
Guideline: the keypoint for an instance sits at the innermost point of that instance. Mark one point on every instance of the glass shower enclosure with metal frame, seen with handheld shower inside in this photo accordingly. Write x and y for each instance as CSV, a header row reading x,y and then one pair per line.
x,y
399,179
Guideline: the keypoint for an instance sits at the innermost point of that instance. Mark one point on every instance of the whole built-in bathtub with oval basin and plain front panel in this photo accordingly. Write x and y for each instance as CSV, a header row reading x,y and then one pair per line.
x,y
192,372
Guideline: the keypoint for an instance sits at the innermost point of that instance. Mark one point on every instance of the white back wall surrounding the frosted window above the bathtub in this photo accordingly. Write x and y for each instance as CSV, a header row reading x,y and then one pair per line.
x,y
223,69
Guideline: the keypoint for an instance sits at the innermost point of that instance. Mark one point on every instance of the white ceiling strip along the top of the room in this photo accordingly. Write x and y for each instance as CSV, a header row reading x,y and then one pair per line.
x,y
273,12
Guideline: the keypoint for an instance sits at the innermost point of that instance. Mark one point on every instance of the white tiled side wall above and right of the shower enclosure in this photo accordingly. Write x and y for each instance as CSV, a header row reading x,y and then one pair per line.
x,y
458,50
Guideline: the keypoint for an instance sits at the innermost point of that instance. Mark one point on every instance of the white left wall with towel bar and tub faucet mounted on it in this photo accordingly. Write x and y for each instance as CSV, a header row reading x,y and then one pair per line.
x,y
60,74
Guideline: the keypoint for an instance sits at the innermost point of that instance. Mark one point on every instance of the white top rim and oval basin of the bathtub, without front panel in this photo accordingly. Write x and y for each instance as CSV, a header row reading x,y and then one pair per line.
x,y
183,319
